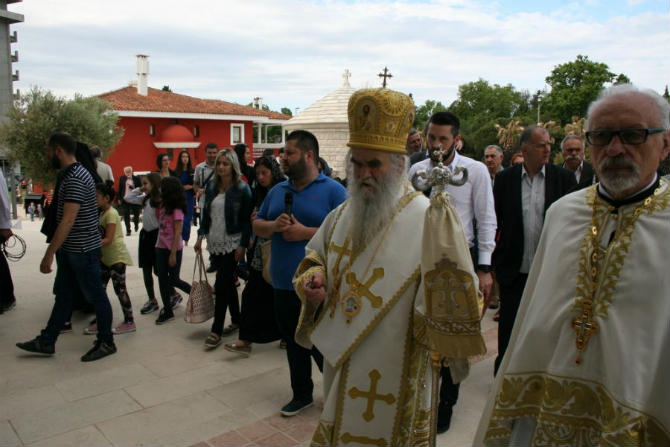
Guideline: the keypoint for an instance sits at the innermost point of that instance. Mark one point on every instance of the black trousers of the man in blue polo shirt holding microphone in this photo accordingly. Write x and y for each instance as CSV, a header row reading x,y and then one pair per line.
x,y
287,310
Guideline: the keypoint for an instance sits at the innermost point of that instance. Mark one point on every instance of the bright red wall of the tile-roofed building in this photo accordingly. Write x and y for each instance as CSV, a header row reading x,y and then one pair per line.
x,y
137,149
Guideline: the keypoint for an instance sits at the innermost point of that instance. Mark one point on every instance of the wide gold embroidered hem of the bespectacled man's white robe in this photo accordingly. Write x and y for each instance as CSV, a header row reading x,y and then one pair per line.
x,y
570,412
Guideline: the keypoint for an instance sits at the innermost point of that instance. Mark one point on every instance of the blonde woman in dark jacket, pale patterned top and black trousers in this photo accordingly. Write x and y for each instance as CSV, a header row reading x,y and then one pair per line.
x,y
225,222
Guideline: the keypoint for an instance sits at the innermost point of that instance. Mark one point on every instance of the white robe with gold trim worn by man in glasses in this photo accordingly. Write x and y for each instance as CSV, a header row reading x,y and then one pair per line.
x,y
620,392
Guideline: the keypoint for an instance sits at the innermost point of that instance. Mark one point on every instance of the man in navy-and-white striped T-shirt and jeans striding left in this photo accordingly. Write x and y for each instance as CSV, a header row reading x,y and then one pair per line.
x,y
76,246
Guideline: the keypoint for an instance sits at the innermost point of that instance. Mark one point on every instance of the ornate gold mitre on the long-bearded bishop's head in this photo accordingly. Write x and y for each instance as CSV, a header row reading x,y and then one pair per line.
x,y
380,119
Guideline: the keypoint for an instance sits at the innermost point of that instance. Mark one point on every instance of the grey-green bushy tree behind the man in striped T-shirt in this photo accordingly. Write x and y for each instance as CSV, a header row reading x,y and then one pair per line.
x,y
38,113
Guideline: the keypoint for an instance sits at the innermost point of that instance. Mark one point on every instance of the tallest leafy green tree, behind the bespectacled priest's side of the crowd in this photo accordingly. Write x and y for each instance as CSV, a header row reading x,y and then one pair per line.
x,y
574,85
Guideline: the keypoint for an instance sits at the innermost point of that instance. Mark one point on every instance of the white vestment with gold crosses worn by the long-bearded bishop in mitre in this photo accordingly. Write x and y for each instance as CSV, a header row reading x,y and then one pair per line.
x,y
377,368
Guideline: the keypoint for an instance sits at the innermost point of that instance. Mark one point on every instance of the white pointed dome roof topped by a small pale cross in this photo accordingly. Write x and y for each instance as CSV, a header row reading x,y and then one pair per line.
x,y
332,108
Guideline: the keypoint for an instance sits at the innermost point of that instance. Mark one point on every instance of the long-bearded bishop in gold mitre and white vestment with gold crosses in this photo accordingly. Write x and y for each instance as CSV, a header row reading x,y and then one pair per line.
x,y
388,290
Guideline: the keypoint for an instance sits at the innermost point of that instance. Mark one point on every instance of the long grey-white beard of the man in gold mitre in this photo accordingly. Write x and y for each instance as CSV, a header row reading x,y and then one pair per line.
x,y
372,210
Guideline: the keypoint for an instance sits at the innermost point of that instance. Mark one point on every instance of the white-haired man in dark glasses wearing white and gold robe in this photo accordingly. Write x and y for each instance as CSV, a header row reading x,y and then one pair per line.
x,y
588,359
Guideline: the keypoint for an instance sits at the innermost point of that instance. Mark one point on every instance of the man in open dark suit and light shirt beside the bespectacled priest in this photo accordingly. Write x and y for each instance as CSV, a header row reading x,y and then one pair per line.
x,y
522,194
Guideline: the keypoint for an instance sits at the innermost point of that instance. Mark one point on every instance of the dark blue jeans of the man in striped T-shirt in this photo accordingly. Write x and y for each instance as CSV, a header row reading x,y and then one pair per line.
x,y
82,270
